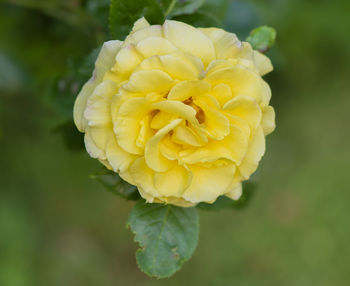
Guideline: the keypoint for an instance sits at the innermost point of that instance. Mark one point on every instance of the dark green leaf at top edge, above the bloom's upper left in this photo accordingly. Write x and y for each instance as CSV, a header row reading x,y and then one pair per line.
x,y
124,13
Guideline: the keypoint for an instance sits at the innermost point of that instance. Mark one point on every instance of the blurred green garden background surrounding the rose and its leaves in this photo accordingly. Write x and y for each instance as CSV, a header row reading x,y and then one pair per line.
x,y
59,227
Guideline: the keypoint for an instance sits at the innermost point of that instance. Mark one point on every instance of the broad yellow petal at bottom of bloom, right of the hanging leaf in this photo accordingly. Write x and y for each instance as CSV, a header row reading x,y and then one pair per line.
x,y
209,183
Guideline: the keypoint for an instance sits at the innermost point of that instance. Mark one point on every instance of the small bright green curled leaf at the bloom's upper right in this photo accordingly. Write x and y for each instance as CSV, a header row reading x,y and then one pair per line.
x,y
262,38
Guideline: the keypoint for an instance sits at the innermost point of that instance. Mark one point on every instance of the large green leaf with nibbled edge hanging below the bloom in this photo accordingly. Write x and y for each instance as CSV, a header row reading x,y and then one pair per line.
x,y
167,236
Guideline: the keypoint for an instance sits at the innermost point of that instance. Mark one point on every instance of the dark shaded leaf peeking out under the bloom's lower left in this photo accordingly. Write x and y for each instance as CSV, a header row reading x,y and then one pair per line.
x,y
116,185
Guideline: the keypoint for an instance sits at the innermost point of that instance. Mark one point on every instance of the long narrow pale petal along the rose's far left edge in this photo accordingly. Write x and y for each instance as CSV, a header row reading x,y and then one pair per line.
x,y
104,62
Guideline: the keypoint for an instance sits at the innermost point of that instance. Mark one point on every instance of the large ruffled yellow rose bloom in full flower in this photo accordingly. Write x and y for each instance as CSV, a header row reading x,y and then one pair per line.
x,y
178,111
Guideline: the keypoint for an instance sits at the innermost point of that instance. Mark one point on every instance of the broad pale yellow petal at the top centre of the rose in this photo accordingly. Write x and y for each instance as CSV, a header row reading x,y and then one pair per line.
x,y
189,39
